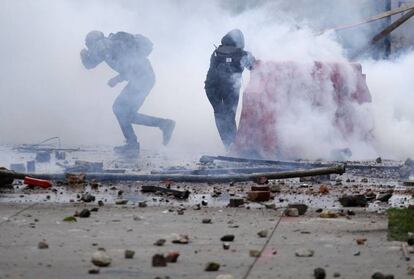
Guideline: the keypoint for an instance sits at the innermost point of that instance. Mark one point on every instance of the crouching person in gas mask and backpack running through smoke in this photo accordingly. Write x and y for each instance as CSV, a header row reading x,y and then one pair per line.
x,y
127,54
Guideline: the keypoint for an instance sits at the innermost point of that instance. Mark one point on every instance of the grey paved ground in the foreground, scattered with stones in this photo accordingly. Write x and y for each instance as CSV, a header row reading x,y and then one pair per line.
x,y
117,228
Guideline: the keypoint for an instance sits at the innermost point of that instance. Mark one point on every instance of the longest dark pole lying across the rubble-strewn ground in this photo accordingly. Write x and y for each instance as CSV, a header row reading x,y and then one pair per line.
x,y
189,178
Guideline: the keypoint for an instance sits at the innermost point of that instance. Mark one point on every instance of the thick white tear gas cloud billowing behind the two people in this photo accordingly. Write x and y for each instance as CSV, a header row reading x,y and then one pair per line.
x,y
46,91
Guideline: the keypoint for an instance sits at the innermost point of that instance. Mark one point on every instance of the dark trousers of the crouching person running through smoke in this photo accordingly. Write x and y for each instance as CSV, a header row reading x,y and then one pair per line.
x,y
126,108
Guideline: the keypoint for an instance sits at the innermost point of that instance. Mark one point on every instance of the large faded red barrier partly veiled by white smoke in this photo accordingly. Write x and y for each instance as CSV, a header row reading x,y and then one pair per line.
x,y
277,89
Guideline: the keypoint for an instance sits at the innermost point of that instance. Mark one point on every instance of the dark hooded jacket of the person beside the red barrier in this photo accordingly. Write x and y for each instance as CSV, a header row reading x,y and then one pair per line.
x,y
229,58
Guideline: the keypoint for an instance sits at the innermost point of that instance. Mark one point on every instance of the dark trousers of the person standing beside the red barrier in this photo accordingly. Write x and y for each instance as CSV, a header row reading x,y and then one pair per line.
x,y
224,97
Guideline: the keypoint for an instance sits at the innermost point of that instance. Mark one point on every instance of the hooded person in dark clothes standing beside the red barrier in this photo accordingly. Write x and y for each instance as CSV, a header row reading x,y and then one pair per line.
x,y
223,82
